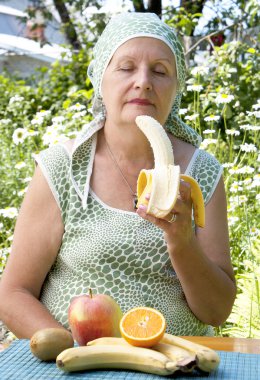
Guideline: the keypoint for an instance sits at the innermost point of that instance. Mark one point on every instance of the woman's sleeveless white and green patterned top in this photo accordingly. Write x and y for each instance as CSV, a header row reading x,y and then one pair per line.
x,y
113,251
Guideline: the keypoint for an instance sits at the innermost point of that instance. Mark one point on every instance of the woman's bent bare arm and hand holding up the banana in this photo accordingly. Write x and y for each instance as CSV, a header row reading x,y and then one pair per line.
x,y
202,261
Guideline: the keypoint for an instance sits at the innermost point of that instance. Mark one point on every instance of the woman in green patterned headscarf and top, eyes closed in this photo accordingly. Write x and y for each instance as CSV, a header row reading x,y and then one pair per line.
x,y
78,227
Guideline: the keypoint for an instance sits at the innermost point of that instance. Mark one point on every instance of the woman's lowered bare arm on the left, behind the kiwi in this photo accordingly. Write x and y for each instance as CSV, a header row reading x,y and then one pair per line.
x,y
37,238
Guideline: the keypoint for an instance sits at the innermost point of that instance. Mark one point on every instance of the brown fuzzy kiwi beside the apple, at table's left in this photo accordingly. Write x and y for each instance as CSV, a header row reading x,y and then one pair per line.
x,y
47,343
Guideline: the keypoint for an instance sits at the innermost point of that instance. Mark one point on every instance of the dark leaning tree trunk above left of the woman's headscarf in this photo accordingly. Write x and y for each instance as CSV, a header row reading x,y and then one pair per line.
x,y
69,28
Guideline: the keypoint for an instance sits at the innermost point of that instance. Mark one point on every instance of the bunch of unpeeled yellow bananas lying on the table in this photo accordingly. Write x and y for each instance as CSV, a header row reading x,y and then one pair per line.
x,y
170,355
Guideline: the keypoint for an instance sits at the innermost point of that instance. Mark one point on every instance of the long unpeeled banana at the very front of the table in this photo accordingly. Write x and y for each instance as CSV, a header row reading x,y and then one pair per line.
x,y
115,357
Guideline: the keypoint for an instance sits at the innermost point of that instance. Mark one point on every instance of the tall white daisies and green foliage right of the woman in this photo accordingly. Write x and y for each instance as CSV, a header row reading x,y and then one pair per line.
x,y
222,103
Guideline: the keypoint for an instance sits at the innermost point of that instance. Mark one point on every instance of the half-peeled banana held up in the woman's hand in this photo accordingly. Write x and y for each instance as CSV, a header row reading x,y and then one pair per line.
x,y
163,181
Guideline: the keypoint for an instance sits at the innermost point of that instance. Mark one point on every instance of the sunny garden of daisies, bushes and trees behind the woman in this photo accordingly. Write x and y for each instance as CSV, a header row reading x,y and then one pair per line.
x,y
221,102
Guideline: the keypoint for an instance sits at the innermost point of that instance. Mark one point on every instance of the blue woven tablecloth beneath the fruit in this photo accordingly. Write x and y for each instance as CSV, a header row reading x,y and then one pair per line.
x,y
17,363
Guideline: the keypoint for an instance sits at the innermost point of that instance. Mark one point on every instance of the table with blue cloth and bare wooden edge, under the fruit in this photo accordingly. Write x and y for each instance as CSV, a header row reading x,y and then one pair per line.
x,y
239,360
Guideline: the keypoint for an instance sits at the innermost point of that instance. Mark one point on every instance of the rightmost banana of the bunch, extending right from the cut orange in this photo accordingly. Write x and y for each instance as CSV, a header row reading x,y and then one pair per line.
x,y
206,358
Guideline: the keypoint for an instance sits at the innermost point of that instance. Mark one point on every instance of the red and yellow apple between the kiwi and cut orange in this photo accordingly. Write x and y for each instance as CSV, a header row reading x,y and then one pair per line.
x,y
93,316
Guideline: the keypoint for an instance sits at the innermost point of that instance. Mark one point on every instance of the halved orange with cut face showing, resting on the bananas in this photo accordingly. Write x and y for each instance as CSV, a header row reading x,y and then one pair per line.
x,y
142,326
